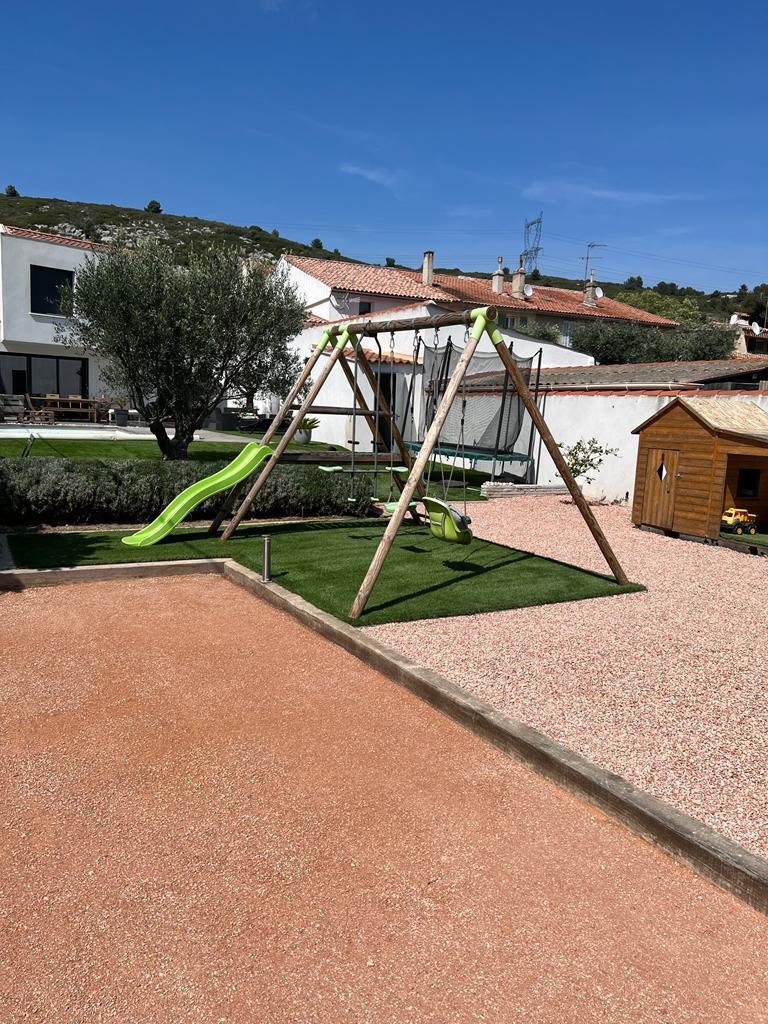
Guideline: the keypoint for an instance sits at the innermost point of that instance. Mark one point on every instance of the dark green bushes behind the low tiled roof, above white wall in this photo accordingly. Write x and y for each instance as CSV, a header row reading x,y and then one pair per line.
x,y
617,342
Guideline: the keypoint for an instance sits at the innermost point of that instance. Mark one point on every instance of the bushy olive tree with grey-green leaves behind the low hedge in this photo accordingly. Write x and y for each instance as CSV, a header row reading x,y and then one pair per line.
x,y
179,339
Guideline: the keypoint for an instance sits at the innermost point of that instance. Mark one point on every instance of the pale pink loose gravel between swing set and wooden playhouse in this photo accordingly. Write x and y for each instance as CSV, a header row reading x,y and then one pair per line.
x,y
666,689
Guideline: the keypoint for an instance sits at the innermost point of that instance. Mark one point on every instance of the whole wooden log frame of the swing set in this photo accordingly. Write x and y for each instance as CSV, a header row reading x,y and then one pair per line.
x,y
481,322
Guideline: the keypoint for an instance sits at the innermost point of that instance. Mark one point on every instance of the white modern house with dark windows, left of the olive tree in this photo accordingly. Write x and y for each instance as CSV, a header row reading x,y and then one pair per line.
x,y
33,267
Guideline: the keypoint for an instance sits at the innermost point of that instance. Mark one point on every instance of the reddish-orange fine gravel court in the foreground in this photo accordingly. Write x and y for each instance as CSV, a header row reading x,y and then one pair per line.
x,y
209,814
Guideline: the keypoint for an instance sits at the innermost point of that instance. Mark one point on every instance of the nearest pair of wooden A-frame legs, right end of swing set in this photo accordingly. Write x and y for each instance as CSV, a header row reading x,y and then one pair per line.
x,y
484,320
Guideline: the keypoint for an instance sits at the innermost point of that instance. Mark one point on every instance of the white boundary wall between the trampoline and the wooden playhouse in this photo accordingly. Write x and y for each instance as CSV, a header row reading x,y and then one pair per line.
x,y
611,419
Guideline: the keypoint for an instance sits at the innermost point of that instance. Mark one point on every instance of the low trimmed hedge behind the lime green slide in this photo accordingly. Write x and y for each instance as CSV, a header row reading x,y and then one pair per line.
x,y
70,492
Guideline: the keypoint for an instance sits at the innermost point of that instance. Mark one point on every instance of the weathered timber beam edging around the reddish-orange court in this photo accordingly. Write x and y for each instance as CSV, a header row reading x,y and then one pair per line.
x,y
720,860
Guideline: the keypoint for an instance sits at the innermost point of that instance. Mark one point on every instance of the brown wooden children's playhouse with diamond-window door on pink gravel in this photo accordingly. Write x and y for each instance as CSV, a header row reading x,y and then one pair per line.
x,y
698,457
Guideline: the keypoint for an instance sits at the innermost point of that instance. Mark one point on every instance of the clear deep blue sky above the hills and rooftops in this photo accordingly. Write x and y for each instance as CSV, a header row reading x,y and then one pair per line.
x,y
390,129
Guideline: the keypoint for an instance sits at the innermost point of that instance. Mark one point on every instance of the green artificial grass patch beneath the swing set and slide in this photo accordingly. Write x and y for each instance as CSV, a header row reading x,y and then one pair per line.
x,y
325,563
